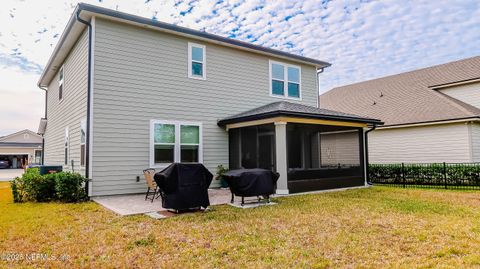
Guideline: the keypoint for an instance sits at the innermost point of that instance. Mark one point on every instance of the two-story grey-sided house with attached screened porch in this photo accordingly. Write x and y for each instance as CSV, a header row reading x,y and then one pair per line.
x,y
134,93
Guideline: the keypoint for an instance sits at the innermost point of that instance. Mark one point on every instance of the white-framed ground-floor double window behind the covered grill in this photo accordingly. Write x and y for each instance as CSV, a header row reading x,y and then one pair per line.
x,y
175,141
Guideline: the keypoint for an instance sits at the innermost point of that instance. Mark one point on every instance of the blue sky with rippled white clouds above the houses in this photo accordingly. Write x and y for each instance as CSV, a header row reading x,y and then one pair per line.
x,y
362,39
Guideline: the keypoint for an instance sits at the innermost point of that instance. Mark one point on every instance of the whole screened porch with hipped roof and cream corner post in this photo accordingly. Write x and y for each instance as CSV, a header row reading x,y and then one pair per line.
x,y
311,148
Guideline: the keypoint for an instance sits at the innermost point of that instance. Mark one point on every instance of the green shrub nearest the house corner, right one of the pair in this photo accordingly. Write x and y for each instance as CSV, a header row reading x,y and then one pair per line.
x,y
69,186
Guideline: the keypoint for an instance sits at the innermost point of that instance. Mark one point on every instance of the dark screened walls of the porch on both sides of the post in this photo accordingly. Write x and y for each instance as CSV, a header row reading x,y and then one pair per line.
x,y
318,156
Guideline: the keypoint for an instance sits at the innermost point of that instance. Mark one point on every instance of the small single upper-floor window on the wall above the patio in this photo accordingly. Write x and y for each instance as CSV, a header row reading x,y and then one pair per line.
x,y
197,61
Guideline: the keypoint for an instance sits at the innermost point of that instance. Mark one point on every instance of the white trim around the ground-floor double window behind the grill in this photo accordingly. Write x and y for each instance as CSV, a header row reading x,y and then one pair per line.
x,y
177,147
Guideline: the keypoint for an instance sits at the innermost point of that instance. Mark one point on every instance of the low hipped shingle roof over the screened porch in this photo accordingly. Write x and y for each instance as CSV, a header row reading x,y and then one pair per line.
x,y
283,108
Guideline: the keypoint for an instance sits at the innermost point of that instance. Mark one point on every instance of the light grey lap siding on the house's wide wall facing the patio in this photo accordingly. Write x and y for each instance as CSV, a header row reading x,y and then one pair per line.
x,y
141,75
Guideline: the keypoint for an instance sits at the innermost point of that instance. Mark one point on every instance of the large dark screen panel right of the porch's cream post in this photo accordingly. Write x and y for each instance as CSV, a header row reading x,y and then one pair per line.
x,y
321,151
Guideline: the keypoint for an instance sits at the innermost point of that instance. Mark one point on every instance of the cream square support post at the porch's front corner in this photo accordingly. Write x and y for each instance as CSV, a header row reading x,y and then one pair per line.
x,y
281,156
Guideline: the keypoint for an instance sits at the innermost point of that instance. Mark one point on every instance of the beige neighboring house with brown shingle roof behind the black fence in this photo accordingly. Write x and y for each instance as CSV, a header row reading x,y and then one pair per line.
x,y
430,114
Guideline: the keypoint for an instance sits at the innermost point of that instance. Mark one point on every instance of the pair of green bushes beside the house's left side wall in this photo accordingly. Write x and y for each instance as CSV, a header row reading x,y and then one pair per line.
x,y
63,186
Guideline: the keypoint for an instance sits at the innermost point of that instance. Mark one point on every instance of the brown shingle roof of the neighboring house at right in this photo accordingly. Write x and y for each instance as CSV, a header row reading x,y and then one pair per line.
x,y
407,98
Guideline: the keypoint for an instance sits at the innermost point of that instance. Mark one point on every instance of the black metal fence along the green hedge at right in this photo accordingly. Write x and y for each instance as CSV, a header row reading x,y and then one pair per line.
x,y
435,175
